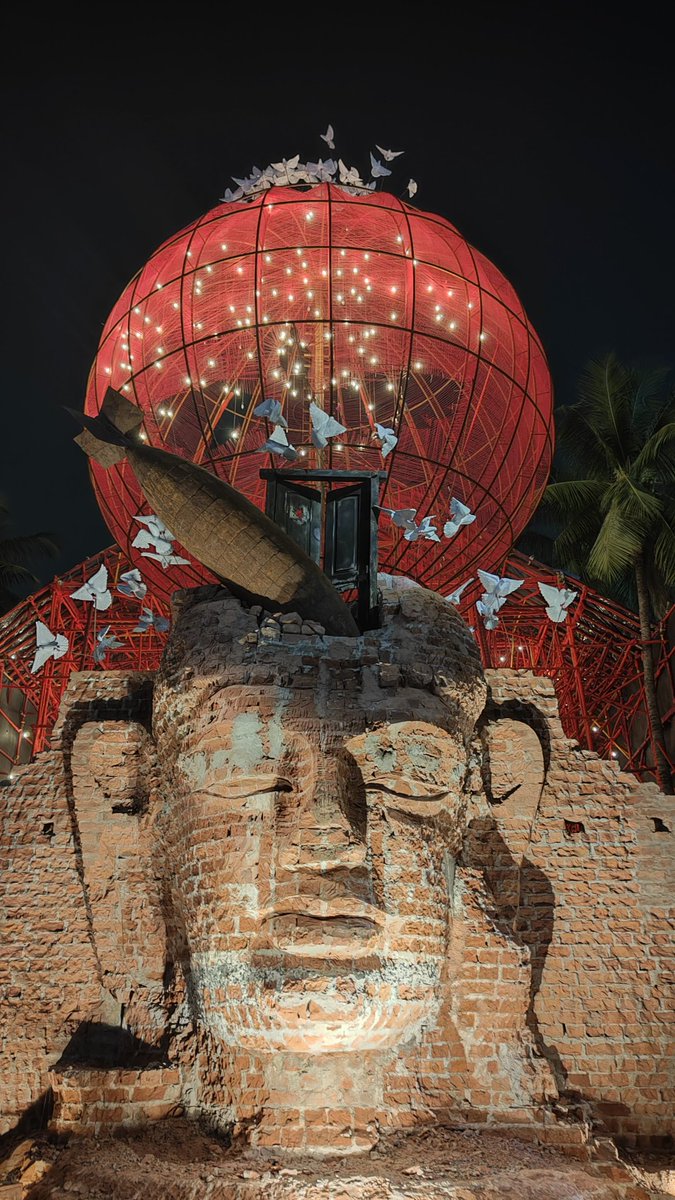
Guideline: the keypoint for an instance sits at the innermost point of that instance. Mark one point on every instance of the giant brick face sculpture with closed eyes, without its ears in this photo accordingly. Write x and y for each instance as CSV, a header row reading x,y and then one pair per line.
x,y
314,808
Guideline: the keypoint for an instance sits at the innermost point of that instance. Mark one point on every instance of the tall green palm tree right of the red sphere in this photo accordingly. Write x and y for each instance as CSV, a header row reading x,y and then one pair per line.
x,y
617,503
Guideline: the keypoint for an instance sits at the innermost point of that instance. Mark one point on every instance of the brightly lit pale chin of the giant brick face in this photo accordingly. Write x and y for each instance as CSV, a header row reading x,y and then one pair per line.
x,y
300,1010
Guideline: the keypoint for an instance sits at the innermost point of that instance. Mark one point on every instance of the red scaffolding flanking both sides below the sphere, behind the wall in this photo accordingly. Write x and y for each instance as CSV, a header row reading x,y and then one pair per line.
x,y
594,658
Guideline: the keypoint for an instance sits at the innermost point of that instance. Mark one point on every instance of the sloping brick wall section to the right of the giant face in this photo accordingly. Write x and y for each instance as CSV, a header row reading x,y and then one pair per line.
x,y
596,911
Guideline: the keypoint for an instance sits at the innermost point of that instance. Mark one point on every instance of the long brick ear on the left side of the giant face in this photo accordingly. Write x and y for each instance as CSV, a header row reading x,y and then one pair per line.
x,y
112,775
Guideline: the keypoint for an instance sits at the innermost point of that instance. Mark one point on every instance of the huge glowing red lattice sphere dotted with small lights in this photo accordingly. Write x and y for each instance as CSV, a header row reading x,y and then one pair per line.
x,y
379,313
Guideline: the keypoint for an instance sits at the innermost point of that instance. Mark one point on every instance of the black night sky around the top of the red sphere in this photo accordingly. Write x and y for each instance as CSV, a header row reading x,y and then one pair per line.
x,y
540,131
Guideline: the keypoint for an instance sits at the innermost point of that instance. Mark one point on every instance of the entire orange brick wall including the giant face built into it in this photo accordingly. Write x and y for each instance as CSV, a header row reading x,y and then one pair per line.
x,y
548,955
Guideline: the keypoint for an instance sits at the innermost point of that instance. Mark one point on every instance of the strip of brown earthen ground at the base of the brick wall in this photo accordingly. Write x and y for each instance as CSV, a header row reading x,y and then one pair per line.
x,y
178,1161
